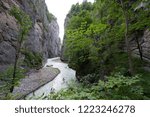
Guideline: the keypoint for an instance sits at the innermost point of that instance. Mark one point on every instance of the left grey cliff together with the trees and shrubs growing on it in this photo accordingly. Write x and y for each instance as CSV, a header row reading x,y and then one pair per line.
x,y
22,49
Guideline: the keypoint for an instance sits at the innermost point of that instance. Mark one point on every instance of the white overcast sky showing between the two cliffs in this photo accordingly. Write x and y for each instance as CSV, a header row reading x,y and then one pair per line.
x,y
60,8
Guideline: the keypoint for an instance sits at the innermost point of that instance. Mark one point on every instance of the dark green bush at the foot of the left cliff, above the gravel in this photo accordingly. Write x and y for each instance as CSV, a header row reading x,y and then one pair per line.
x,y
32,59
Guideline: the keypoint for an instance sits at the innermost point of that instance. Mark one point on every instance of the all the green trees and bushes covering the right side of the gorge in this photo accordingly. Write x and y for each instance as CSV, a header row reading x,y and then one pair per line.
x,y
98,39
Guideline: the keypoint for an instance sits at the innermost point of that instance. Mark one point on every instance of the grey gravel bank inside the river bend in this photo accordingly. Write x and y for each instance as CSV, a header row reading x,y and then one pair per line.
x,y
34,81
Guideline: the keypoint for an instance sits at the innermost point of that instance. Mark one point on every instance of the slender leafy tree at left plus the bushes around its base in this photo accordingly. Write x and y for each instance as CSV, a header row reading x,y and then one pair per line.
x,y
13,75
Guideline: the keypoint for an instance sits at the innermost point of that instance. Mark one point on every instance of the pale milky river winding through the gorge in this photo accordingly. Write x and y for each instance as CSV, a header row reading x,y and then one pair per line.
x,y
61,81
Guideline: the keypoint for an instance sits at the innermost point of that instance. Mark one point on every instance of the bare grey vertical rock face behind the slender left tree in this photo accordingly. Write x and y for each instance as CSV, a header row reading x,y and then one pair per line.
x,y
43,37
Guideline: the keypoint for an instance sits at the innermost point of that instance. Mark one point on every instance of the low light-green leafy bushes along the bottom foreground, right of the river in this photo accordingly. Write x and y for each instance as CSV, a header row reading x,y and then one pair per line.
x,y
116,87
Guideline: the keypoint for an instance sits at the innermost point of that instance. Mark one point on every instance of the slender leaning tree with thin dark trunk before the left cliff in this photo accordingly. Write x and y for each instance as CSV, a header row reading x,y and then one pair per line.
x,y
25,24
